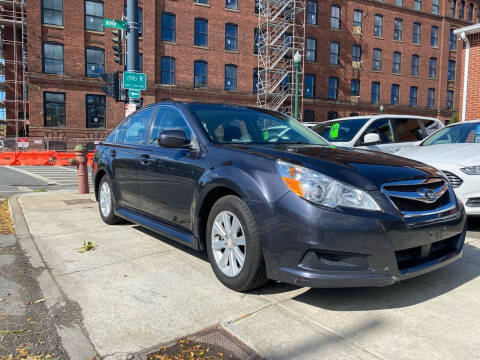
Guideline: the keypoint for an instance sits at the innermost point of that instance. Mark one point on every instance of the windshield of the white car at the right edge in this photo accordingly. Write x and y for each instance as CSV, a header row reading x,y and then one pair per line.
x,y
461,133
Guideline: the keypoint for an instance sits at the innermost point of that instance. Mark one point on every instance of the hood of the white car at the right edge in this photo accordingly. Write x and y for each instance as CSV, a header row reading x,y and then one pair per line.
x,y
467,154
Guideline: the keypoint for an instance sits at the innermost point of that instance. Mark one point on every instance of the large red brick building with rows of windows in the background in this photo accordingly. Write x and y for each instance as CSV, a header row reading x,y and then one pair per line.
x,y
360,54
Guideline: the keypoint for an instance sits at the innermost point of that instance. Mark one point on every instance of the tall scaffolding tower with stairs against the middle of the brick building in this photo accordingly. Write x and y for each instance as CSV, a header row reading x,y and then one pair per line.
x,y
281,33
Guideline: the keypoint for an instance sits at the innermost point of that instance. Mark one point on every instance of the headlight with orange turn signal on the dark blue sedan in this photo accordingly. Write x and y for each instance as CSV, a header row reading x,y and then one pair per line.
x,y
324,190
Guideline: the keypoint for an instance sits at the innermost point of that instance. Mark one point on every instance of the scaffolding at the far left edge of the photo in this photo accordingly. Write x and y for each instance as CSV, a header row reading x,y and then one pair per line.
x,y
13,69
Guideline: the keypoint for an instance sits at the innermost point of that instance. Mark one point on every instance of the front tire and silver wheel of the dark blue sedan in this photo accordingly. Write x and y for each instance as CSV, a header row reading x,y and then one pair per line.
x,y
251,274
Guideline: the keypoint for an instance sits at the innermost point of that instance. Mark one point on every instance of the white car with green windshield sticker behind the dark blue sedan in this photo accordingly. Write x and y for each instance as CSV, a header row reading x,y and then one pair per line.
x,y
385,133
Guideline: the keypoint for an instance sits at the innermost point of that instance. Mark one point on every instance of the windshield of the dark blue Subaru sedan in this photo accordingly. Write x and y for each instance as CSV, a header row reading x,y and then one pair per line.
x,y
226,124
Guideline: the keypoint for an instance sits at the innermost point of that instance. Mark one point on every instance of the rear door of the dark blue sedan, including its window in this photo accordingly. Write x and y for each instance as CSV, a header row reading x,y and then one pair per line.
x,y
126,159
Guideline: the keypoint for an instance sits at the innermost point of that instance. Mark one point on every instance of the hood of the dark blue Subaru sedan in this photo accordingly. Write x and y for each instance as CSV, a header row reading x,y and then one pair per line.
x,y
361,168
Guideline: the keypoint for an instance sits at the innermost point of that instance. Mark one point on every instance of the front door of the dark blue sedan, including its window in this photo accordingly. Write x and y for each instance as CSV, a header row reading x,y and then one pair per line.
x,y
168,177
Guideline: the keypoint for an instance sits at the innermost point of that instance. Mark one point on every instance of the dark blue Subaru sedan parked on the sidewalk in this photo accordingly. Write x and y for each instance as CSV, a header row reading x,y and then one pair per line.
x,y
288,207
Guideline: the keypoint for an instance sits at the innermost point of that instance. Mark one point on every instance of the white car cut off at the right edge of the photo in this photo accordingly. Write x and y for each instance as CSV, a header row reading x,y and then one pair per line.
x,y
455,150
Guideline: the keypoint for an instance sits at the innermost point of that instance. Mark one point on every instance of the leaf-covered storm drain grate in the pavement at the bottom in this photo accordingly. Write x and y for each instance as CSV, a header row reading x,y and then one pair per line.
x,y
213,343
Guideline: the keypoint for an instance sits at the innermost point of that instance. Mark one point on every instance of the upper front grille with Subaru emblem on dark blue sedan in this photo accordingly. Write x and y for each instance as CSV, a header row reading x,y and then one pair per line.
x,y
420,197
